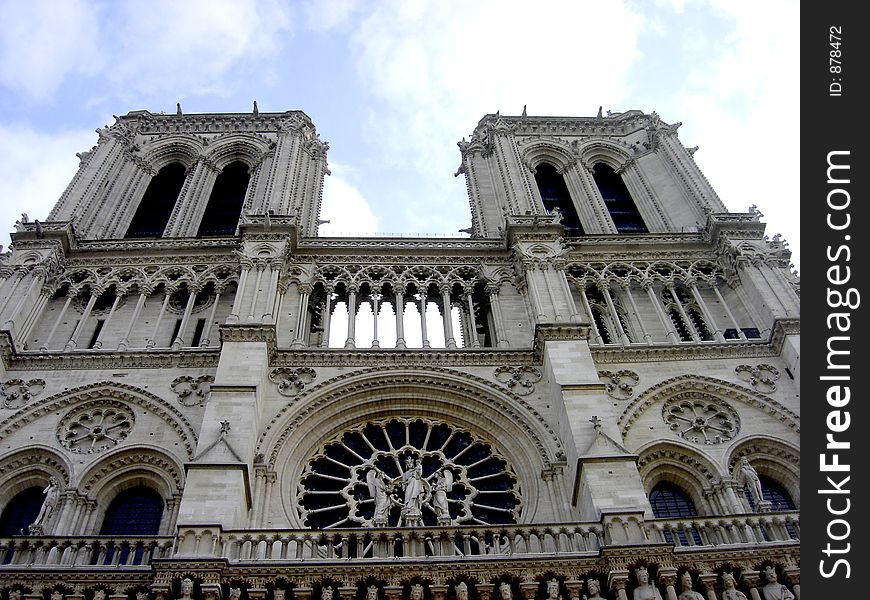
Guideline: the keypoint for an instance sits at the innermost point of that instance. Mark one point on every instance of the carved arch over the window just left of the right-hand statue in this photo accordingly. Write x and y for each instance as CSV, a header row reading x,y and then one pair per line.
x,y
678,464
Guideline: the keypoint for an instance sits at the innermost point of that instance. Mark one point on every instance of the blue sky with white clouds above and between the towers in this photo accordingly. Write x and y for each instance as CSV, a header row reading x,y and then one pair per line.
x,y
392,86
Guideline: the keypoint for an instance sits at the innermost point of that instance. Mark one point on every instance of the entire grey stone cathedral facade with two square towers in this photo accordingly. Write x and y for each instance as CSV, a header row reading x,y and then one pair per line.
x,y
594,393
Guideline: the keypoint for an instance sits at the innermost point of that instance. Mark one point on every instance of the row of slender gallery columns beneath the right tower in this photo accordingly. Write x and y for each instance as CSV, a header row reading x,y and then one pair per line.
x,y
672,336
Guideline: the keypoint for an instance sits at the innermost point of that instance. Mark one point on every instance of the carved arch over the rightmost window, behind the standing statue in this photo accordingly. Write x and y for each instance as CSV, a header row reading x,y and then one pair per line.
x,y
772,458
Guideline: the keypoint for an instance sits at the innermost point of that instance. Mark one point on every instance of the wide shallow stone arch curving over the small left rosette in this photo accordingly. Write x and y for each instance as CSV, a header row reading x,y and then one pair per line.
x,y
104,391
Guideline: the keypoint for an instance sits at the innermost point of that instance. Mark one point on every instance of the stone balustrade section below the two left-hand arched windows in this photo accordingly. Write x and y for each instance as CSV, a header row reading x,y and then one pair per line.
x,y
39,551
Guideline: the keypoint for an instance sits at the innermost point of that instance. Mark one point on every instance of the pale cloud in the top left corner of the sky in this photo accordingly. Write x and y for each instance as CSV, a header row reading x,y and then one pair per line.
x,y
43,42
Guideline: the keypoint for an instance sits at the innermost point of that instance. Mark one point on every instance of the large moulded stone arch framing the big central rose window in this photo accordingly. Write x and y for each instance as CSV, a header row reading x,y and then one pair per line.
x,y
468,402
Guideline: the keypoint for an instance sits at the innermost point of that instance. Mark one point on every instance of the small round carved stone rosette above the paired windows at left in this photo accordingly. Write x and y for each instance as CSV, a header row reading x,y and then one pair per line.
x,y
95,428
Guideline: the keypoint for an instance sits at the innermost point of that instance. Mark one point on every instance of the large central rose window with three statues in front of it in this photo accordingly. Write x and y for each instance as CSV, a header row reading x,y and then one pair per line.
x,y
407,472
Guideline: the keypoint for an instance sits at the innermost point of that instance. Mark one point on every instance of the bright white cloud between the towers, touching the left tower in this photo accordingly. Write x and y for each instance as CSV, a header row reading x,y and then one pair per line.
x,y
345,208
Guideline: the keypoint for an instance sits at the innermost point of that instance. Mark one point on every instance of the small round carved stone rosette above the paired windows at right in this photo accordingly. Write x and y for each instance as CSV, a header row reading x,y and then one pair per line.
x,y
702,420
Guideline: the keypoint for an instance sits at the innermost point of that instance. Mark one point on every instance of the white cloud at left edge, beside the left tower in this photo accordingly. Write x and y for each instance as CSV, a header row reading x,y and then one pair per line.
x,y
34,171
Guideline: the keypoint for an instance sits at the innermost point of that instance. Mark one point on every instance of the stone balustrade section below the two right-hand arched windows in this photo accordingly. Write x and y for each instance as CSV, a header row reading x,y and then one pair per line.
x,y
754,529
